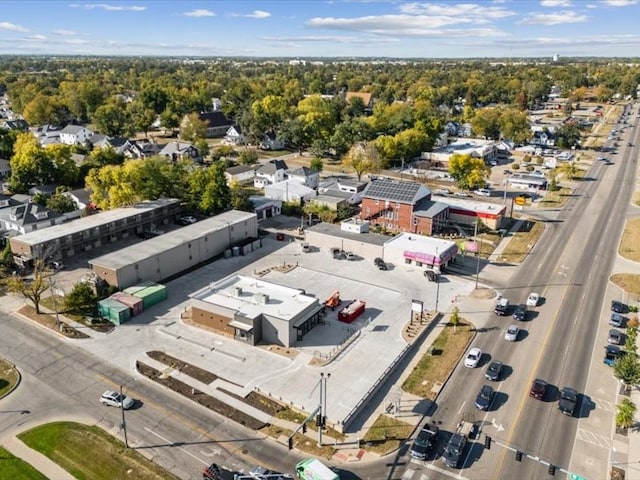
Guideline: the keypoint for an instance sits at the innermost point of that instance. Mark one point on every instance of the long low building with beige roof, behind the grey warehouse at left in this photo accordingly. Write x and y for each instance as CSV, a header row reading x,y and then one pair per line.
x,y
93,231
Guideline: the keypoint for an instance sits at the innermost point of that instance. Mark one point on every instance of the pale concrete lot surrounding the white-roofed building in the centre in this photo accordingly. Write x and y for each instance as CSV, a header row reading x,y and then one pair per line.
x,y
292,379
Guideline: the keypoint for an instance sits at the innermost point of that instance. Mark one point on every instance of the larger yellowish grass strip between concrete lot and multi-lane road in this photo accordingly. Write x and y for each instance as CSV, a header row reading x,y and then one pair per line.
x,y
435,368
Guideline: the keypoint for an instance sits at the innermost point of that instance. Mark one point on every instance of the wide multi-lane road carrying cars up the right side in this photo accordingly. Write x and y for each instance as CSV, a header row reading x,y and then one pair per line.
x,y
570,268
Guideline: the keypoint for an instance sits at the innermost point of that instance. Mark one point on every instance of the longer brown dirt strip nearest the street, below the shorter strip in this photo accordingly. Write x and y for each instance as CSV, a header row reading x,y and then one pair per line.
x,y
202,398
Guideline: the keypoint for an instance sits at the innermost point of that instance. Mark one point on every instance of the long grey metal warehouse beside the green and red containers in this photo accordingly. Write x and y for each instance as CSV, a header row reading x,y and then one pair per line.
x,y
169,254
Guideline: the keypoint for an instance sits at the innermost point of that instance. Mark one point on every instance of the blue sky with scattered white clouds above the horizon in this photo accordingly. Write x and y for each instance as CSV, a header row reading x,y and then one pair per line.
x,y
315,28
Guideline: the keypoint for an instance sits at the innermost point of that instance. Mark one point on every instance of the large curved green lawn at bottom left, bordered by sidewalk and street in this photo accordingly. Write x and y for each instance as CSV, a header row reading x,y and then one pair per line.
x,y
89,453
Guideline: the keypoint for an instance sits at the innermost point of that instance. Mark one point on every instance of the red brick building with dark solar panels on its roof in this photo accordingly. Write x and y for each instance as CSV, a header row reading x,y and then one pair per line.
x,y
402,207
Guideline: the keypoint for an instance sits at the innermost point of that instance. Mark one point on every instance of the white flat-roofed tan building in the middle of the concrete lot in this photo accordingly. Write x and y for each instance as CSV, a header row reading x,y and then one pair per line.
x,y
254,311
